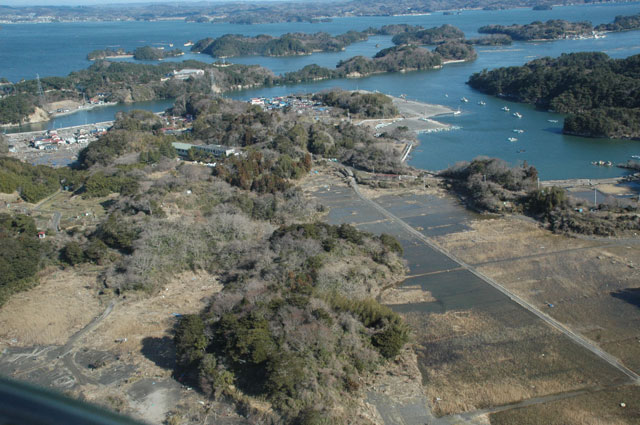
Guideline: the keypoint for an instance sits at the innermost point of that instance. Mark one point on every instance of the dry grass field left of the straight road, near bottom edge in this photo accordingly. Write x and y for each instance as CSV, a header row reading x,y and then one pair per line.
x,y
470,360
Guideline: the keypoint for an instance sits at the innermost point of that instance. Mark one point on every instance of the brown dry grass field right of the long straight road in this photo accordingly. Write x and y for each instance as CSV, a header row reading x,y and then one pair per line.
x,y
587,284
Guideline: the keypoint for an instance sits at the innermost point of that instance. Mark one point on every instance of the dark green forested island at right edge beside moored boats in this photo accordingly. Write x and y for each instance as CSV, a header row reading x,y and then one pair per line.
x,y
598,93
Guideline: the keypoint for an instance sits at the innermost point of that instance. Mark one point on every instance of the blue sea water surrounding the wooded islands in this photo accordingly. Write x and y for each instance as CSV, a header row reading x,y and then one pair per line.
x,y
57,49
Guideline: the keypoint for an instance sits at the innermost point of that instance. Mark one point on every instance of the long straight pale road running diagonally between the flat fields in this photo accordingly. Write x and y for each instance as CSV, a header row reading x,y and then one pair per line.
x,y
578,339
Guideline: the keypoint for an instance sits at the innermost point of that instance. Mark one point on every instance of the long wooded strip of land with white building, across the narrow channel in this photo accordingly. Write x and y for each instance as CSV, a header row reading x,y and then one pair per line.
x,y
130,82
